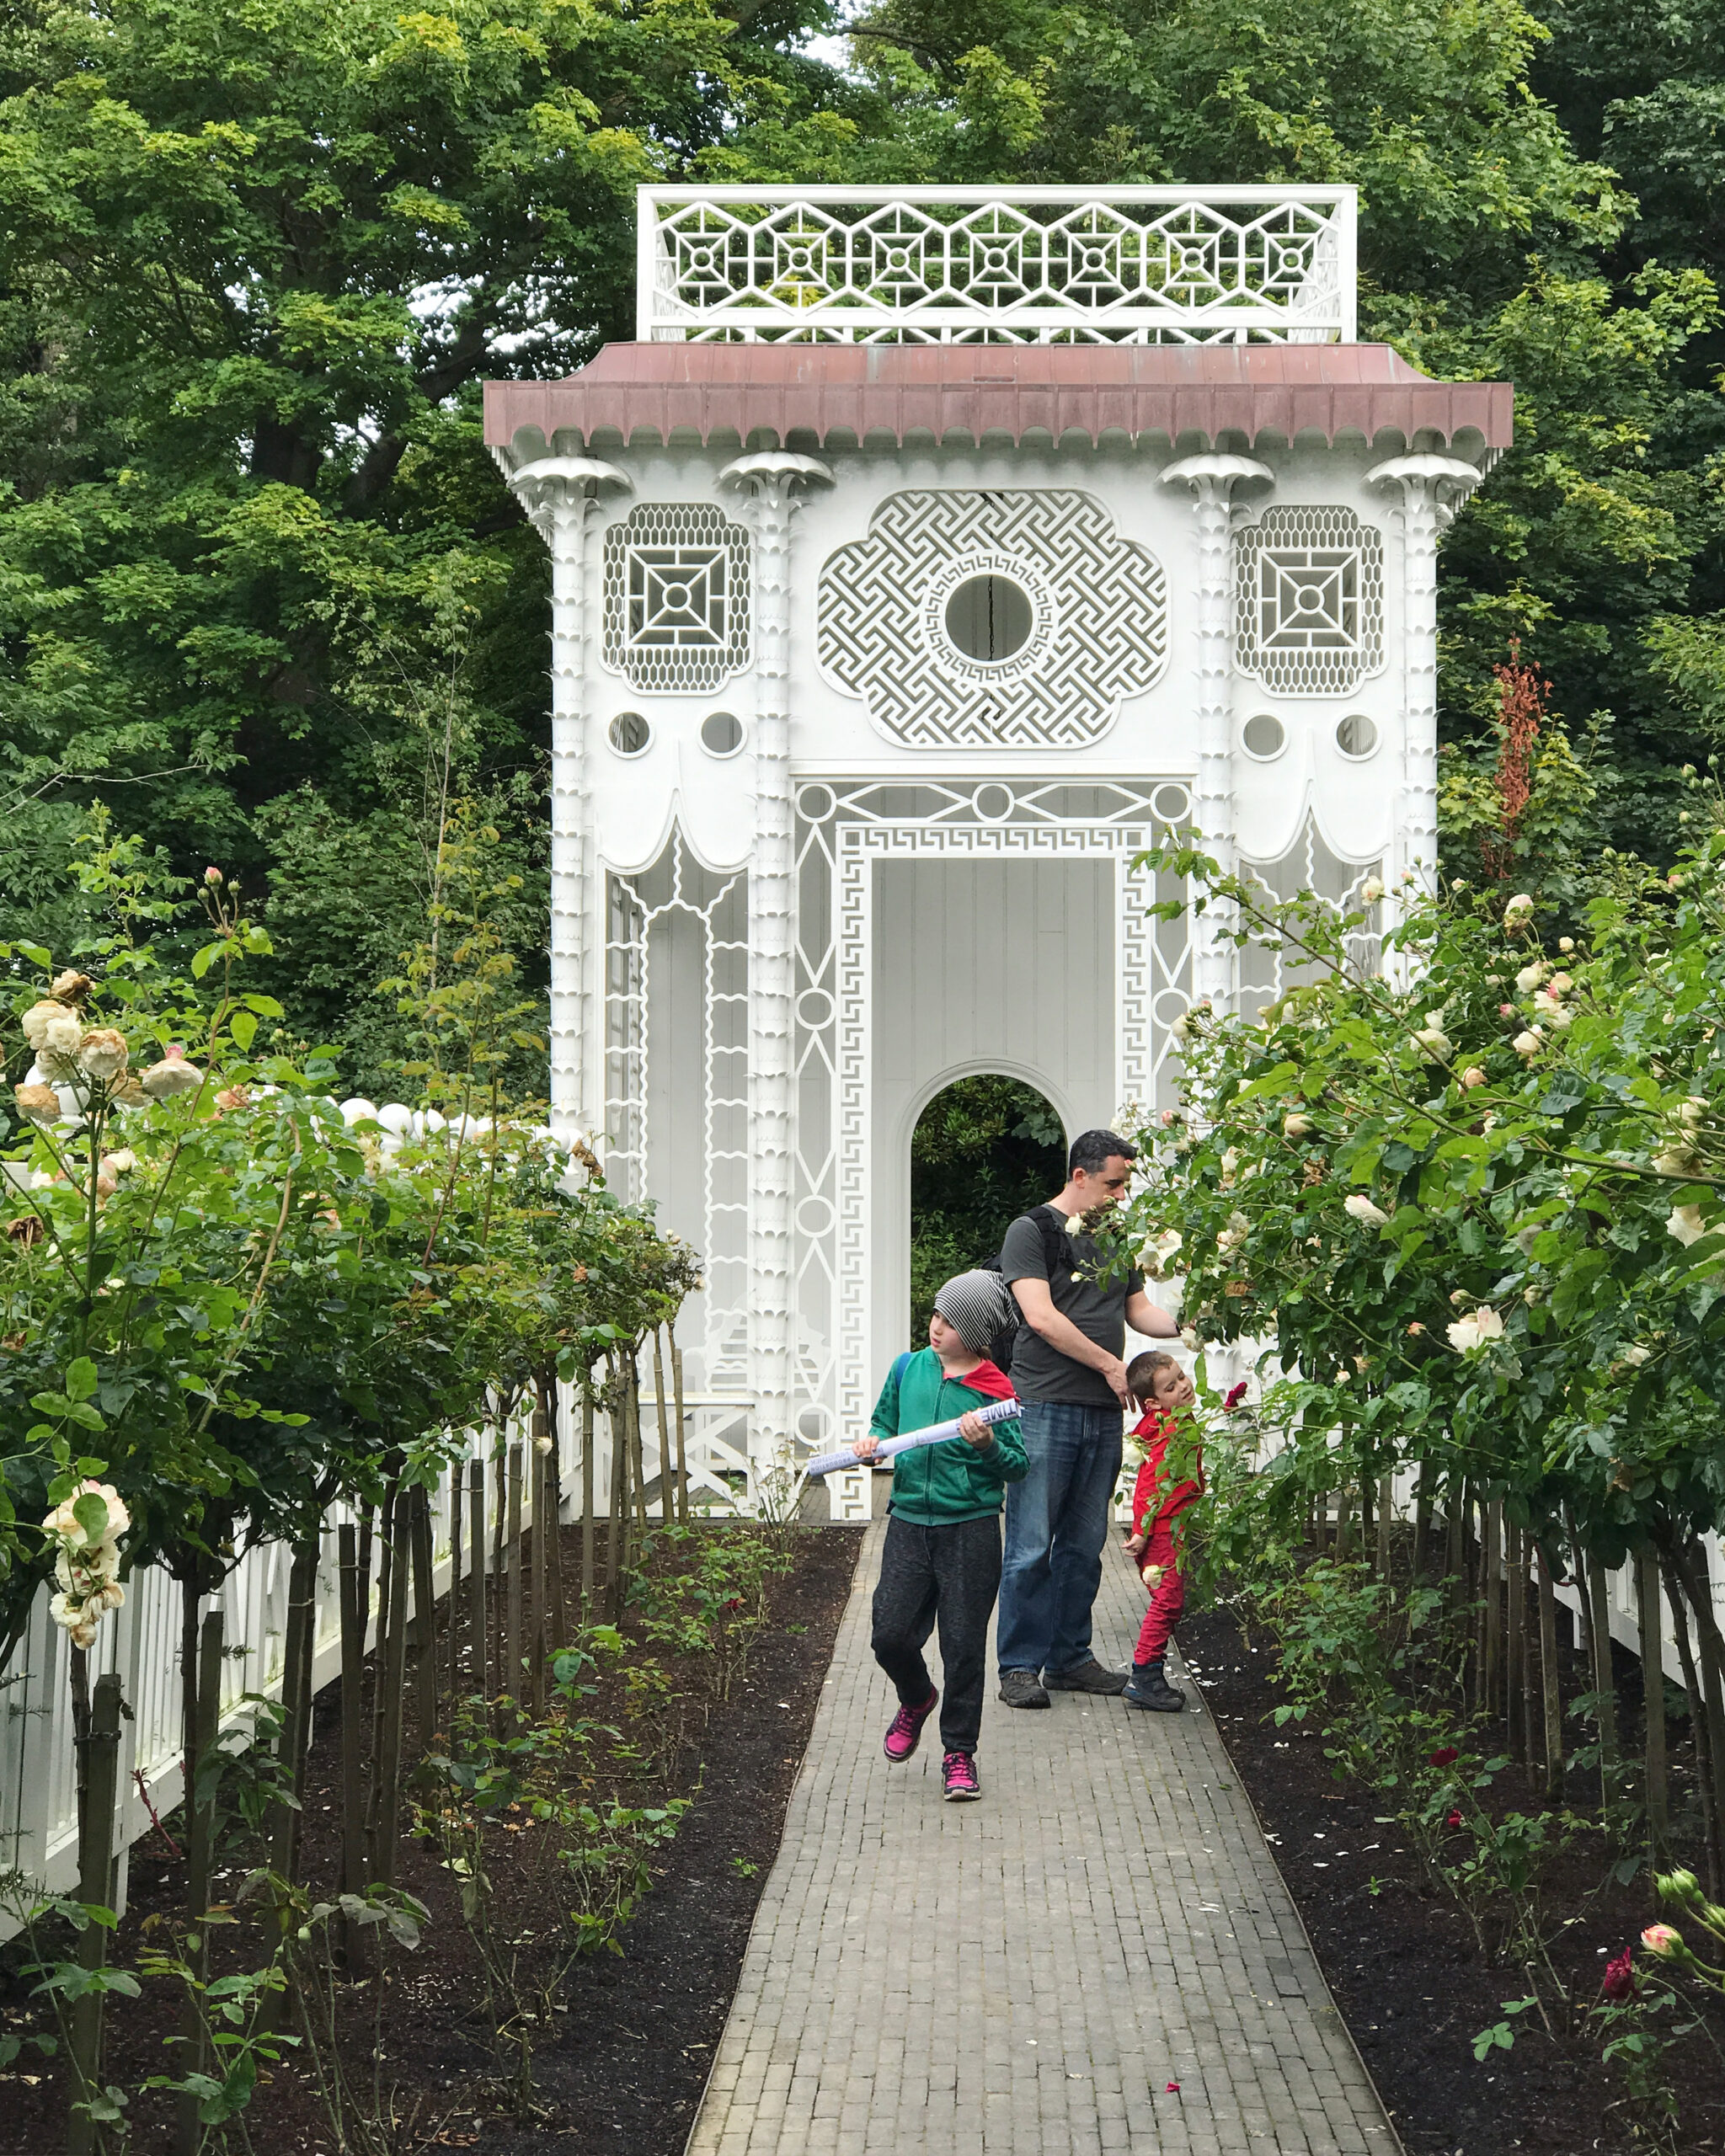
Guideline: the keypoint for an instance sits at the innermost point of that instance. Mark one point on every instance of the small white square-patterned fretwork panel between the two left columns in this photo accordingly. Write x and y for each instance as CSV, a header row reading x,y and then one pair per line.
x,y
676,598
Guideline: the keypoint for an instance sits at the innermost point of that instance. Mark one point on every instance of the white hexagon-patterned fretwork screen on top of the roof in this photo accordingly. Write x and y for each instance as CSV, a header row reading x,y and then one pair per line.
x,y
1023,266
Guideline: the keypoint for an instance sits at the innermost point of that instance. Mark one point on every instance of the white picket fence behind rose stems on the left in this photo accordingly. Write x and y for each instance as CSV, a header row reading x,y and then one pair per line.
x,y
141,1640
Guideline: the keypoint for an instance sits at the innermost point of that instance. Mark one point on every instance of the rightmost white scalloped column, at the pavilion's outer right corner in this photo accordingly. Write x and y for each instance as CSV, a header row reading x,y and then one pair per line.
x,y
1433,490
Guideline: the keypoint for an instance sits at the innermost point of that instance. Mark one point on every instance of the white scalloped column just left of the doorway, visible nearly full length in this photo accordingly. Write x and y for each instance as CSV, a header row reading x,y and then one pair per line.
x,y
773,482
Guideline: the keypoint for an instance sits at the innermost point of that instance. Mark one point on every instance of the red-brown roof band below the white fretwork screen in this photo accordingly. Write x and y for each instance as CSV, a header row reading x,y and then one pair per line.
x,y
844,396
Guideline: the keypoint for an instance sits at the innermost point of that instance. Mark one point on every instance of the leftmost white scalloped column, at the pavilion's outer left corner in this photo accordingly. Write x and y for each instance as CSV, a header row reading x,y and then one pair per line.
x,y
557,495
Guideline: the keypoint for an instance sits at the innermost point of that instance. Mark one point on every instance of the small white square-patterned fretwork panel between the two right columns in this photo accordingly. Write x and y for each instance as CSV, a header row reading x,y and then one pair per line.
x,y
1310,600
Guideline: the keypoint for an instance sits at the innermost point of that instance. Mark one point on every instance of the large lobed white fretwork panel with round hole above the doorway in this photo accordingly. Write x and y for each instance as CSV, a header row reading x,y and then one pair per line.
x,y
1090,620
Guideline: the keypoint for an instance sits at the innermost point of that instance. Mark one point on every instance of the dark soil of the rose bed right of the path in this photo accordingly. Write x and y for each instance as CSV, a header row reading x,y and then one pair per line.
x,y
1403,1963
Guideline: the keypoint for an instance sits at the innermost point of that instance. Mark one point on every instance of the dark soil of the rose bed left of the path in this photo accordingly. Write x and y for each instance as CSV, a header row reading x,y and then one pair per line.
x,y
626,2064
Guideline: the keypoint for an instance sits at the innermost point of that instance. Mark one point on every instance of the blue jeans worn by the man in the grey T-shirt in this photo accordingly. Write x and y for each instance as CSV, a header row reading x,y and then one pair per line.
x,y
1058,1521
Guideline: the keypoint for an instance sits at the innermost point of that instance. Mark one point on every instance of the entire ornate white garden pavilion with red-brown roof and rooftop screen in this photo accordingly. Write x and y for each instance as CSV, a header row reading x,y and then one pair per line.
x,y
924,559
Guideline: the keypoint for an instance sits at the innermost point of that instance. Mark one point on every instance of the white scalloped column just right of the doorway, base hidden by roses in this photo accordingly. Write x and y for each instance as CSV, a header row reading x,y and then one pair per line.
x,y
1213,482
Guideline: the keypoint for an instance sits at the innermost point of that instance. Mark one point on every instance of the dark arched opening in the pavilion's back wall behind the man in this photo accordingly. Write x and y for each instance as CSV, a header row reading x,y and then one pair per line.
x,y
984,1150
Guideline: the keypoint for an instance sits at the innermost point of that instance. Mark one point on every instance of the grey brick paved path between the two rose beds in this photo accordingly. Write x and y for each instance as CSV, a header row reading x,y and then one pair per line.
x,y
1025,1976
